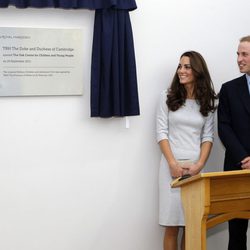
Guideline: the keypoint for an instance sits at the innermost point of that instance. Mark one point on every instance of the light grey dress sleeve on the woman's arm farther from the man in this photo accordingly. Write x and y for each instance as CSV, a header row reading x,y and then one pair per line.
x,y
162,118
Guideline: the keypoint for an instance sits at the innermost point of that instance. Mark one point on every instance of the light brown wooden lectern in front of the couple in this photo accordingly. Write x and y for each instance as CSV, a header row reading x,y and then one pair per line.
x,y
212,198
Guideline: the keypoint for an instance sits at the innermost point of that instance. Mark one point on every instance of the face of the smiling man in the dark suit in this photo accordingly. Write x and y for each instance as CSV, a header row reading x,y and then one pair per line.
x,y
243,58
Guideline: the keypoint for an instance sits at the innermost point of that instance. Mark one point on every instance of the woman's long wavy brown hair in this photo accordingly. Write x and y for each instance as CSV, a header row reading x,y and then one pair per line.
x,y
203,88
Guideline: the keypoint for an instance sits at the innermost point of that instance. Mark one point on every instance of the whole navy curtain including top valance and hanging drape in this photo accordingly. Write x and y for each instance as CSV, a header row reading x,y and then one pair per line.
x,y
113,71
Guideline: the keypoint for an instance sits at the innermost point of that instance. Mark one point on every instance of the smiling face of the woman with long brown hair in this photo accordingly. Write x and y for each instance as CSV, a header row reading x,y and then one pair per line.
x,y
185,72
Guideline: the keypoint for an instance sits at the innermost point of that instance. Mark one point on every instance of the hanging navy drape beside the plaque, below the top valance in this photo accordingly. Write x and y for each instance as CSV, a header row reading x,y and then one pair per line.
x,y
113,84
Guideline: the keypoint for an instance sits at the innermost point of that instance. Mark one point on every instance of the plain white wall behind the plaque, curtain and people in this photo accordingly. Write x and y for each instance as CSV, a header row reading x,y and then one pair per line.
x,y
68,181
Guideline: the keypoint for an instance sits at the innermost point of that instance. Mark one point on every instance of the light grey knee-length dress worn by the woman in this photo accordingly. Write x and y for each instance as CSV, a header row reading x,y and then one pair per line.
x,y
185,129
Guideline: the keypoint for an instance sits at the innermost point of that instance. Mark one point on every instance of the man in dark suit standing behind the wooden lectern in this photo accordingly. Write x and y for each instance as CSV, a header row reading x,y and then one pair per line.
x,y
234,132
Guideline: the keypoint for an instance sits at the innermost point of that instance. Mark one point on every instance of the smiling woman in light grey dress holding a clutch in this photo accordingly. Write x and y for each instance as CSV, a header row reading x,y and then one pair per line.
x,y
185,124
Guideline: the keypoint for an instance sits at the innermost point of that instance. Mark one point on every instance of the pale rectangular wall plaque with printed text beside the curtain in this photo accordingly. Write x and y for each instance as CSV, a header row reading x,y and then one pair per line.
x,y
41,61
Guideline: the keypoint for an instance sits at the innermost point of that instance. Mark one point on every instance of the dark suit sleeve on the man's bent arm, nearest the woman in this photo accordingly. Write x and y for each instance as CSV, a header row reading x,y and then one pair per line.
x,y
226,133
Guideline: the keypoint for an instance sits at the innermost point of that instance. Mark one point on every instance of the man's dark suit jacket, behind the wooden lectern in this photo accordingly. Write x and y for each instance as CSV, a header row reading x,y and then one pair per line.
x,y
234,121
